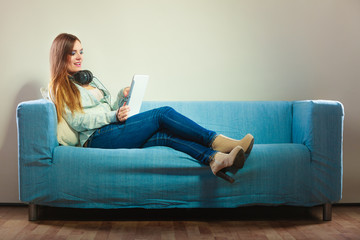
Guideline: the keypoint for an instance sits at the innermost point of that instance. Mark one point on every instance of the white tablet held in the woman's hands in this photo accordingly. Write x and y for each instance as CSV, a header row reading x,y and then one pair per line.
x,y
136,93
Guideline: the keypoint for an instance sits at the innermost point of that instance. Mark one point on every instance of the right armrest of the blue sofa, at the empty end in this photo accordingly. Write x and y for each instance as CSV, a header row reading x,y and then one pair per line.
x,y
319,125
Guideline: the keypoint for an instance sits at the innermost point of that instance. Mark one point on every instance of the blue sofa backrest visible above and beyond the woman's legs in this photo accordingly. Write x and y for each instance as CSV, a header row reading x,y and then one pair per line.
x,y
269,121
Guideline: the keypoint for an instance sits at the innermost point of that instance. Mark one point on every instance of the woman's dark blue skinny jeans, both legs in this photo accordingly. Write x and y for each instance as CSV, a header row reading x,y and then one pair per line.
x,y
158,127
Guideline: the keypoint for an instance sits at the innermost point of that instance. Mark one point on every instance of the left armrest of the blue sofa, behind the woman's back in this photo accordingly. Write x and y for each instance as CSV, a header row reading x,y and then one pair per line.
x,y
37,126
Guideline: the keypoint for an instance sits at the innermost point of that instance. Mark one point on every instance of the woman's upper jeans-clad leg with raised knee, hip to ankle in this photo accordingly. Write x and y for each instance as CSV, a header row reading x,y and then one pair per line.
x,y
134,132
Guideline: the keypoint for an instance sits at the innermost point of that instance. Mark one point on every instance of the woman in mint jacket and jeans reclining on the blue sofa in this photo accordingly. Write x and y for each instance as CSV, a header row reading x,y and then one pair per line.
x,y
87,108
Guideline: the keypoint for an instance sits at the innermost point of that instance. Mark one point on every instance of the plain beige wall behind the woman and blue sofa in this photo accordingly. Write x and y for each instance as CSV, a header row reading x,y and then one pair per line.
x,y
193,50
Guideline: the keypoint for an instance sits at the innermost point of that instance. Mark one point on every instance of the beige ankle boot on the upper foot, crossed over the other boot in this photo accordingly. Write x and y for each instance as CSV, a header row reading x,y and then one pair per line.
x,y
225,144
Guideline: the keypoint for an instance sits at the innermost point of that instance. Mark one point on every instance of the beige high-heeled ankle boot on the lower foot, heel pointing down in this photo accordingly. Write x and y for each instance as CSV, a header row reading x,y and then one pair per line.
x,y
222,161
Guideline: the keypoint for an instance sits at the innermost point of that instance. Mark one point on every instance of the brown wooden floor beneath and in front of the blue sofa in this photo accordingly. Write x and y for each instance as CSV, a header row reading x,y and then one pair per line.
x,y
241,223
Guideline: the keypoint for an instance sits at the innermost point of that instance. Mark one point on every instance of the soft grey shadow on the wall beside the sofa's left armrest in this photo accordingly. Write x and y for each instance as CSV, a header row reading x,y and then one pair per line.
x,y
9,150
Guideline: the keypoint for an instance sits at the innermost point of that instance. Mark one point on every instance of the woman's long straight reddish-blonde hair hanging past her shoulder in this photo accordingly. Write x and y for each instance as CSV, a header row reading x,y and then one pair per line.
x,y
62,90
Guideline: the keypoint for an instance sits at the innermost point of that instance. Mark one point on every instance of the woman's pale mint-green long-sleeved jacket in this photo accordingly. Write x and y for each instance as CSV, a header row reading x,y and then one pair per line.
x,y
96,114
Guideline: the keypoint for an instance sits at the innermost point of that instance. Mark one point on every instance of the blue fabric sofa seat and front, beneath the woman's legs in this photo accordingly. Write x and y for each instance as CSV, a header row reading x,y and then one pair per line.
x,y
164,178
